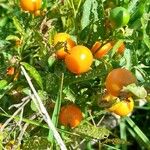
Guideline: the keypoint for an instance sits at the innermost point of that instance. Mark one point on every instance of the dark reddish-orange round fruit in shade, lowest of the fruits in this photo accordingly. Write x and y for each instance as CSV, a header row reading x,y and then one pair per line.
x,y
70,115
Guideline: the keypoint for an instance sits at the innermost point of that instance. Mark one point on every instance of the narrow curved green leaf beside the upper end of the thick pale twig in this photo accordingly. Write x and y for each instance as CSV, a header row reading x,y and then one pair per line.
x,y
34,74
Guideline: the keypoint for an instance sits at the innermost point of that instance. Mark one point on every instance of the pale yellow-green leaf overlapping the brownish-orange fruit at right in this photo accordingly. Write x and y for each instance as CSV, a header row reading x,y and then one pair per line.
x,y
138,91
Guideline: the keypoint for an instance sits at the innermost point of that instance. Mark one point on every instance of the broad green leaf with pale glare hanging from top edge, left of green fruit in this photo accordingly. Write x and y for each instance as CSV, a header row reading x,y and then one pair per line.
x,y
92,22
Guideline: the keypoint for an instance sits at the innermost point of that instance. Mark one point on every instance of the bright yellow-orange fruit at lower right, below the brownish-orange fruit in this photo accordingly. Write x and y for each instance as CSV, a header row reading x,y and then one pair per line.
x,y
123,108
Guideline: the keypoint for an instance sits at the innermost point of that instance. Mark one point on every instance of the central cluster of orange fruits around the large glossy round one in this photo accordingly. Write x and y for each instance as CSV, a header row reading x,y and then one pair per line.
x,y
78,58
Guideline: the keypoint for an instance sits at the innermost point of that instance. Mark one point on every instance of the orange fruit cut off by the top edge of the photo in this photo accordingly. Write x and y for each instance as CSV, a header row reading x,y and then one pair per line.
x,y
31,5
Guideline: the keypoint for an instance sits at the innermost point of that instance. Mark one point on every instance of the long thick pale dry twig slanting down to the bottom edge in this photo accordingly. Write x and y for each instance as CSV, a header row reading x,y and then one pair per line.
x,y
45,114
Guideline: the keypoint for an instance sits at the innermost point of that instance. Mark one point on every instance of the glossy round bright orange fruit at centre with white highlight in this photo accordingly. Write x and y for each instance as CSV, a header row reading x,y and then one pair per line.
x,y
79,59
